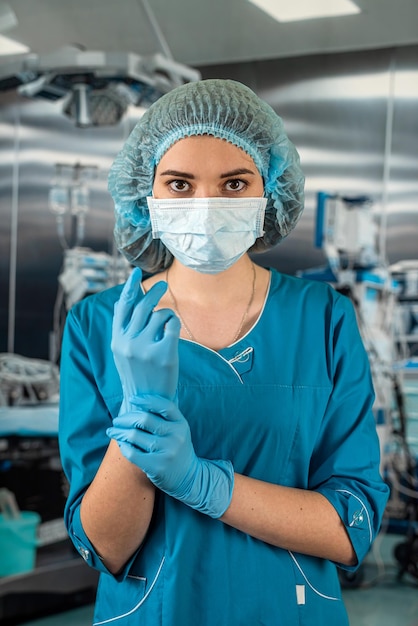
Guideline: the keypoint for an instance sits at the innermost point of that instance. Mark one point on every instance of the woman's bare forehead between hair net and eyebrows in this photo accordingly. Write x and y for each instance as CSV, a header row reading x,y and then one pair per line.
x,y
205,148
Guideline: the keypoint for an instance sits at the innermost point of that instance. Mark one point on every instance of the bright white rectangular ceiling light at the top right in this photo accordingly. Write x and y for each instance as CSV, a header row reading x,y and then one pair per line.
x,y
285,11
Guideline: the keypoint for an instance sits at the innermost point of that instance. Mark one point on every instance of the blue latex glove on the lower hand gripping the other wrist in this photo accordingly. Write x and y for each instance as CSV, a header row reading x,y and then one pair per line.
x,y
156,437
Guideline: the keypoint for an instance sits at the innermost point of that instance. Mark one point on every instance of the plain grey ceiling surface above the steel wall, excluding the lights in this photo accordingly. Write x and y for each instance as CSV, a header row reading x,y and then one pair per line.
x,y
197,32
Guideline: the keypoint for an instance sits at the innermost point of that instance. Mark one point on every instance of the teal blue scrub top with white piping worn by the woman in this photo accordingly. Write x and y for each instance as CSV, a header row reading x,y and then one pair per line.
x,y
289,403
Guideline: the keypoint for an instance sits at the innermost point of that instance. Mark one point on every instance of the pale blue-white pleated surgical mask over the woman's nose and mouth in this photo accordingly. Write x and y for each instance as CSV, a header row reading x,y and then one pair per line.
x,y
207,234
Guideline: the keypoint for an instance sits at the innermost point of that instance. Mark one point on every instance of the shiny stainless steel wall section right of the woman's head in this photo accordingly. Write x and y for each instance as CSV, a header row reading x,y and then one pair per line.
x,y
354,120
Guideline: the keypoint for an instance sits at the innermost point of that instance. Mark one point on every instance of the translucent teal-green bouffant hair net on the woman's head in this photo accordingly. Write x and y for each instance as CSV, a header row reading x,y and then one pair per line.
x,y
222,108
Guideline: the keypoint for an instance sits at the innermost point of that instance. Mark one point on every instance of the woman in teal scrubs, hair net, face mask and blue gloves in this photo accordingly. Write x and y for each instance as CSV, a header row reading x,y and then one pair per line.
x,y
215,423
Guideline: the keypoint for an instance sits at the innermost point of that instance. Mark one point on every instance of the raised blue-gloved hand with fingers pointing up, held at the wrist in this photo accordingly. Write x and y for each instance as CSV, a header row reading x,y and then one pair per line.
x,y
145,342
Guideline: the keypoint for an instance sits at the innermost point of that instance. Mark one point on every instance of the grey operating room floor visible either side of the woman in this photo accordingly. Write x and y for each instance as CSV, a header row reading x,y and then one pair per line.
x,y
381,600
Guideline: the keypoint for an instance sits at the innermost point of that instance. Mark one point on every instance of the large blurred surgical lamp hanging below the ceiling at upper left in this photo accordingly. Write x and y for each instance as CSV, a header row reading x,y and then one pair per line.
x,y
96,87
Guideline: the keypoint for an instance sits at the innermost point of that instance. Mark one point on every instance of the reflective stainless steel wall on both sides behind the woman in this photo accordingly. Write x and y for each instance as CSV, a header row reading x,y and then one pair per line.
x,y
353,118
